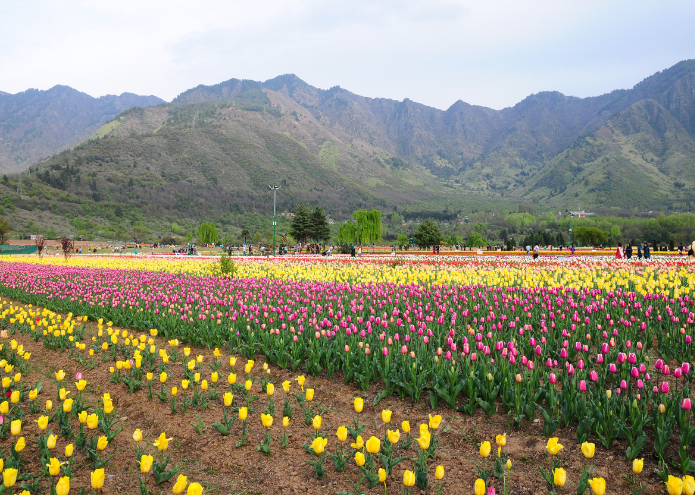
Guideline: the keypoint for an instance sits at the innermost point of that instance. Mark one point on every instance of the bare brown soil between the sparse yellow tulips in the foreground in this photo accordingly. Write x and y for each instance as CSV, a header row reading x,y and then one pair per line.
x,y
212,459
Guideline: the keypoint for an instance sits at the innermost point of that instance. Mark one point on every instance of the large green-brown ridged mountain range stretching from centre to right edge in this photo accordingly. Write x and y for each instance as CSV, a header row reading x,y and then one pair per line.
x,y
213,151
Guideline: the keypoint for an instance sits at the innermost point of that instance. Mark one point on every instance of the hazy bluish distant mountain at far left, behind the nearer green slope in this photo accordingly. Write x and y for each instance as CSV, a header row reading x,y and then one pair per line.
x,y
36,124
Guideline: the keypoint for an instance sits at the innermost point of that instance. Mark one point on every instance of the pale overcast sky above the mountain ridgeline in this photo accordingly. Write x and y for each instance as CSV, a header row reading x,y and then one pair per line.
x,y
486,52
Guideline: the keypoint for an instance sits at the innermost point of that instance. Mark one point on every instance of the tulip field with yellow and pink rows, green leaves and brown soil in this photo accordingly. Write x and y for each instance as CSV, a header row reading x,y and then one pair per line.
x,y
415,374
